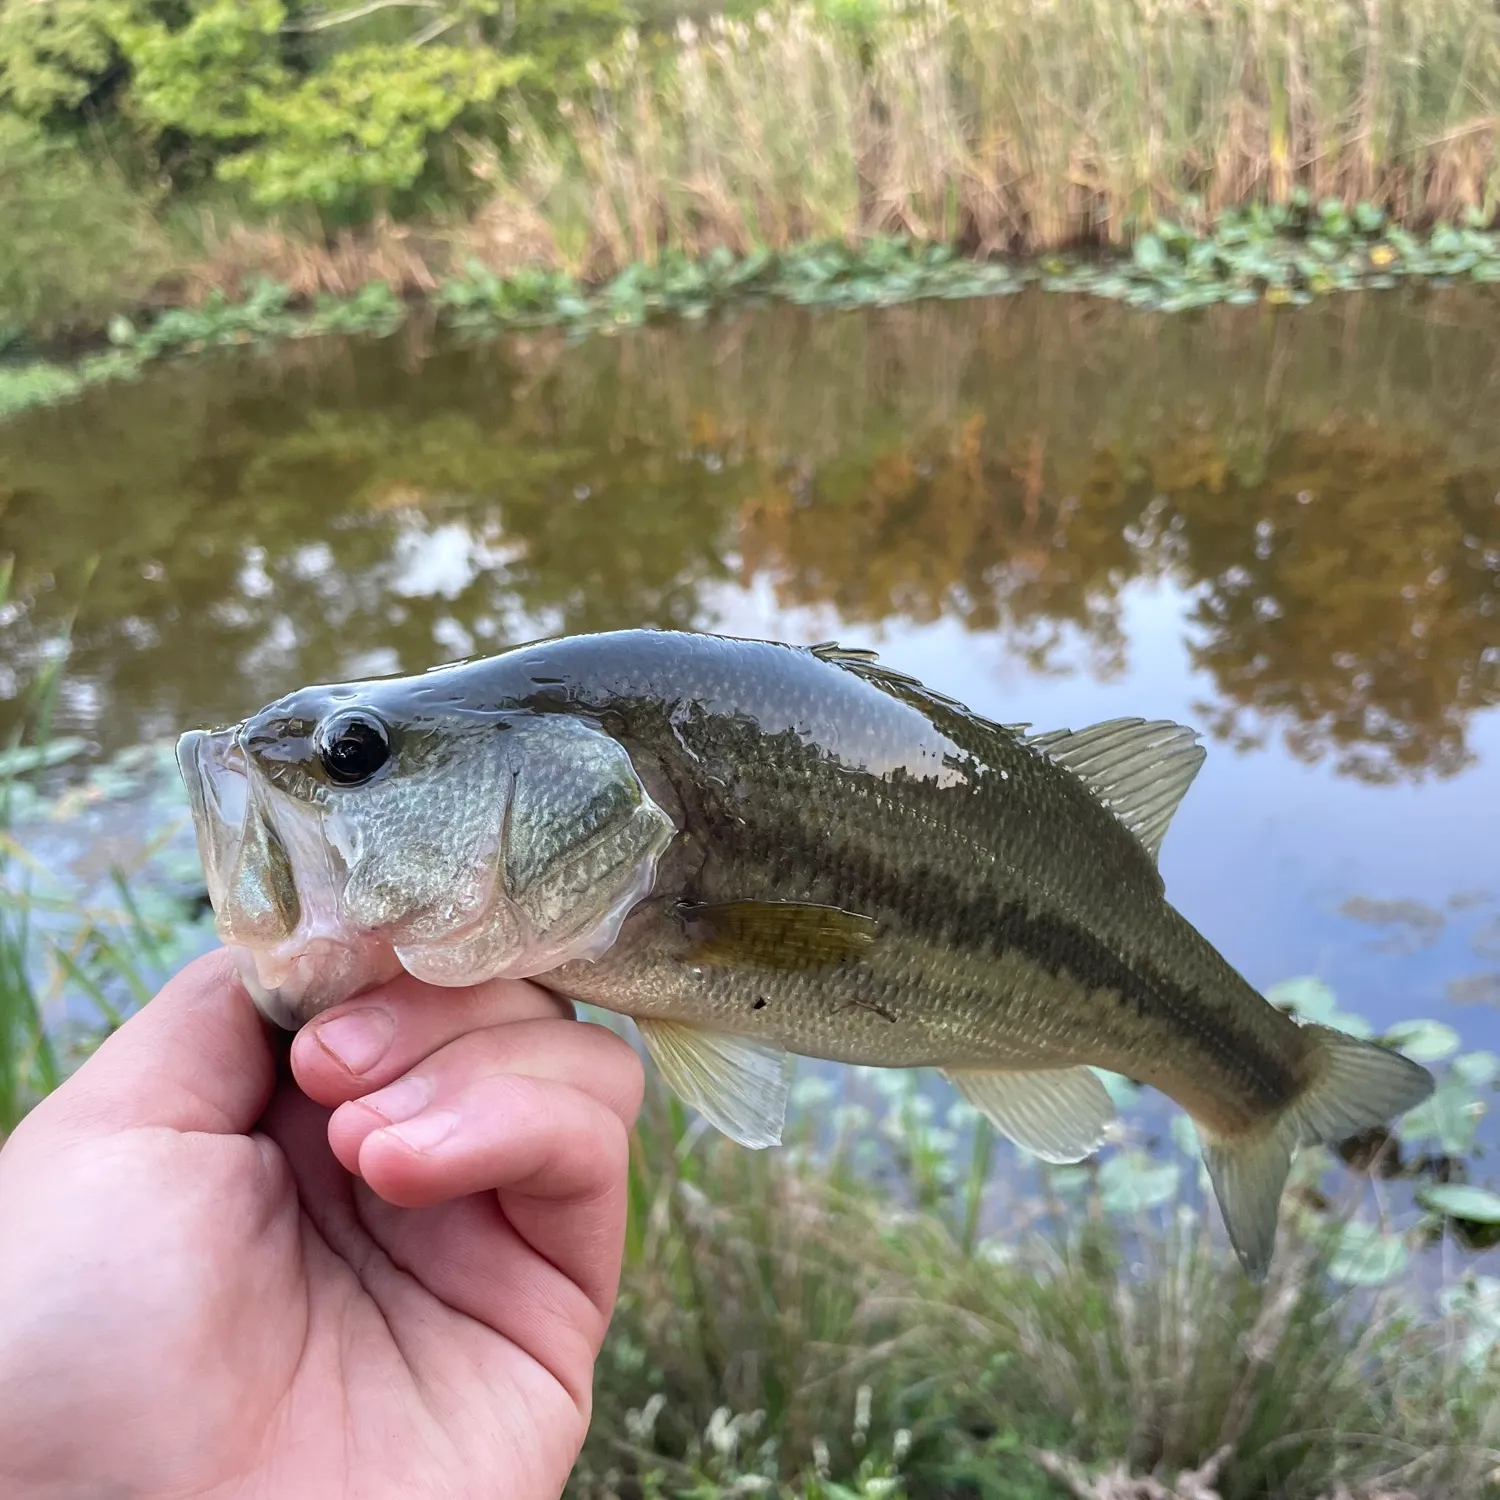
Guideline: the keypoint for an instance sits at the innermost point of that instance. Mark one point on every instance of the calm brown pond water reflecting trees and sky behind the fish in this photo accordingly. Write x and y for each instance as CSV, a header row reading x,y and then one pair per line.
x,y
1282,527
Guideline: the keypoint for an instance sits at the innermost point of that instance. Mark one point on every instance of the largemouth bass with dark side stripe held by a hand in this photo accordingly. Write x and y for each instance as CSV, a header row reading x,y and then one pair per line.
x,y
760,851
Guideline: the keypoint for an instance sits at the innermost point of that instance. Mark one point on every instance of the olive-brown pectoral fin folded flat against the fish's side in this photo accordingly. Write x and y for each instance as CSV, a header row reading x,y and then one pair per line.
x,y
775,935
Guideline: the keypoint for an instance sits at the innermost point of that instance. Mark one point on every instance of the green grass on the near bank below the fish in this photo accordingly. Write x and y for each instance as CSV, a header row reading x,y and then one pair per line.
x,y
784,1321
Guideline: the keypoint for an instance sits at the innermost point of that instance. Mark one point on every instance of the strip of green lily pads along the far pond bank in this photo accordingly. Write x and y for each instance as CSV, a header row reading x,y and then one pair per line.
x,y
1285,254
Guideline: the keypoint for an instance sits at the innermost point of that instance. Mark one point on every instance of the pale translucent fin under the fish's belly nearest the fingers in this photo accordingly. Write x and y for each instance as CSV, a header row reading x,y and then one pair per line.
x,y
737,1085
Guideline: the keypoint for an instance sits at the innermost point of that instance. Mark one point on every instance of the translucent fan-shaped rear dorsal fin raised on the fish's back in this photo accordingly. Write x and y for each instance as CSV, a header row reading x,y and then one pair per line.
x,y
1138,769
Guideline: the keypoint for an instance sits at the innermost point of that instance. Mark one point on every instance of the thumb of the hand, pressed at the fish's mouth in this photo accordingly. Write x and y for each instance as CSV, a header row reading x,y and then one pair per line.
x,y
197,1058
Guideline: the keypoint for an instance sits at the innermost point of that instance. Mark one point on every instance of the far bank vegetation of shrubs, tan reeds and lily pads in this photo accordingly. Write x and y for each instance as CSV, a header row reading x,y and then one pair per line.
x,y
226,172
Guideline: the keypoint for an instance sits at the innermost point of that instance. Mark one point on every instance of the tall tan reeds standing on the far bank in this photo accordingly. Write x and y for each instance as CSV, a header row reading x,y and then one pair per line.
x,y
1009,125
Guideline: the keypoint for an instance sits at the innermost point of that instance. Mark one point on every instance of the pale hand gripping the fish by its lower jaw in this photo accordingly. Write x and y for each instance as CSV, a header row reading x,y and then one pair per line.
x,y
386,1276
